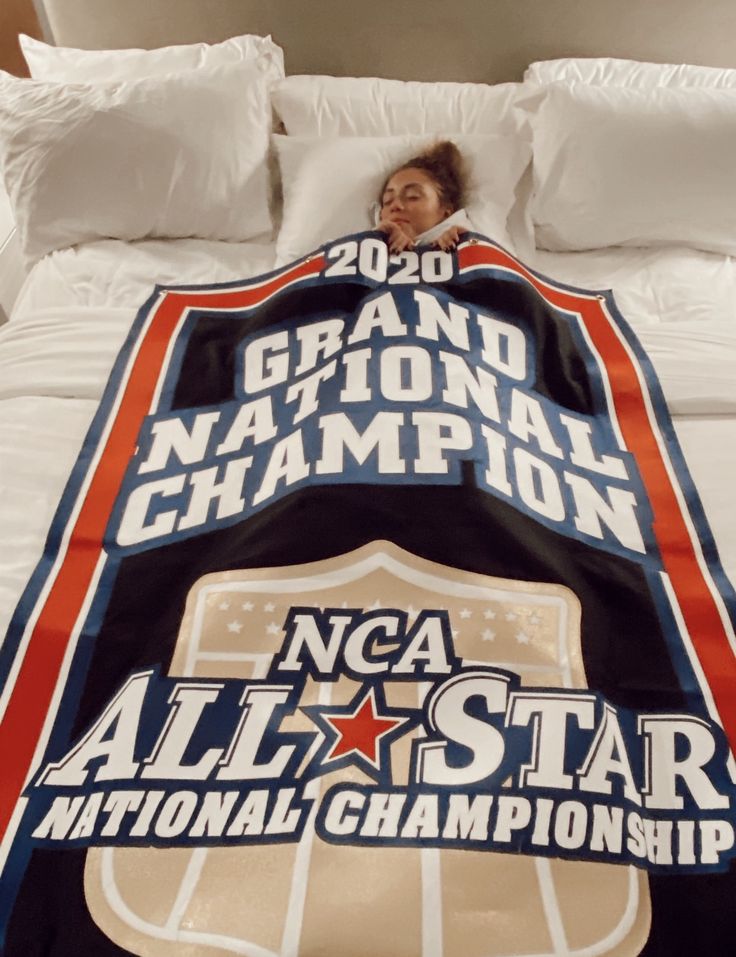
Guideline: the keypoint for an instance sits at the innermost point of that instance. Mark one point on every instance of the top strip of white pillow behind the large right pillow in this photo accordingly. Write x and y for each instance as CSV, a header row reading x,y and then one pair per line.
x,y
609,71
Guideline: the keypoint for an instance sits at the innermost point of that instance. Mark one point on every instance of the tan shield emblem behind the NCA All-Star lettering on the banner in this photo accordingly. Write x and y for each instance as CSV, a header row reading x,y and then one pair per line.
x,y
301,898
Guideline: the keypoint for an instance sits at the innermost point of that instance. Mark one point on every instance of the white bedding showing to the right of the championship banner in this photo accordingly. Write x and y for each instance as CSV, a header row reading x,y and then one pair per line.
x,y
681,303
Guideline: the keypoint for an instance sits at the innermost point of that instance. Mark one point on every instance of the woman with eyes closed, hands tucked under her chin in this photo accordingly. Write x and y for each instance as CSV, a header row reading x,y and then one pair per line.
x,y
421,202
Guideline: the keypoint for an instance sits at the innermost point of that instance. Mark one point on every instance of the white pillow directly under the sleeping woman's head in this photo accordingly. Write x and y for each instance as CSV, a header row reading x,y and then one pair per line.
x,y
330,185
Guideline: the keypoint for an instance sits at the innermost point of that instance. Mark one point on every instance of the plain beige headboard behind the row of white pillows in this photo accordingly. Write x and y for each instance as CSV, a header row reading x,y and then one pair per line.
x,y
476,40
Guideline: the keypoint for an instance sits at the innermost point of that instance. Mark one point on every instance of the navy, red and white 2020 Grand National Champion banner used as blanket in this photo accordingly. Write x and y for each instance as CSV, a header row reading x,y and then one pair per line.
x,y
379,617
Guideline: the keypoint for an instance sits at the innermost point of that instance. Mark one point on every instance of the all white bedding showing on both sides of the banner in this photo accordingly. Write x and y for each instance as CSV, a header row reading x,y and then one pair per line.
x,y
77,306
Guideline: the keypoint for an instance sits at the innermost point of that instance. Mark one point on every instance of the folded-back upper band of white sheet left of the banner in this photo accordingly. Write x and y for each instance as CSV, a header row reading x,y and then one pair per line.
x,y
77,306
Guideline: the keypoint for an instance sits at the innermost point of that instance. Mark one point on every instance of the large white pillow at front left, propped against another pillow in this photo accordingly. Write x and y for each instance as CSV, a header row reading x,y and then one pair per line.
x,y
171,156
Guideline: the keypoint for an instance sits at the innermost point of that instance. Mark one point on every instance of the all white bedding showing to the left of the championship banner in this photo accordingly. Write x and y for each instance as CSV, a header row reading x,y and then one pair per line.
x,y
70,320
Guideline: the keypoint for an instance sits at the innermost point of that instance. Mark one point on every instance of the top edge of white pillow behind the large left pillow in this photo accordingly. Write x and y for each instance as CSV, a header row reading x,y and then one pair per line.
x,y
67,65
